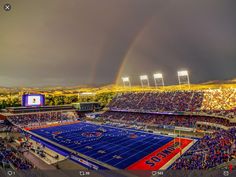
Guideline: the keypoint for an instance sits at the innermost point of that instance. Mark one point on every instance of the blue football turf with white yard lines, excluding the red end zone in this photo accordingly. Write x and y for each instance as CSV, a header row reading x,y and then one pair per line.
x,y
117,147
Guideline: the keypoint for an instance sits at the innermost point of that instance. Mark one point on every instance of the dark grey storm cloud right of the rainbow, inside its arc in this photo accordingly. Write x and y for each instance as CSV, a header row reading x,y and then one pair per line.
x,y
194,35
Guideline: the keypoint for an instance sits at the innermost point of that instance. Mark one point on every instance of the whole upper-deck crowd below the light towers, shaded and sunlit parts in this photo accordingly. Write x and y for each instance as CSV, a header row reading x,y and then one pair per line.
x,y
218,102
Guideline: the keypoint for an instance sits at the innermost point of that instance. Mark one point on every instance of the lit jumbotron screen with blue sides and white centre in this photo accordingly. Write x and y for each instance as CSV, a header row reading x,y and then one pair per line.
x,y
33,100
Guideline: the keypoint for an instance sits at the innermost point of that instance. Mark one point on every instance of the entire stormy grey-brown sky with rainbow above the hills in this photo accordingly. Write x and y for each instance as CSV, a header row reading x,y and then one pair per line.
x,y
96,42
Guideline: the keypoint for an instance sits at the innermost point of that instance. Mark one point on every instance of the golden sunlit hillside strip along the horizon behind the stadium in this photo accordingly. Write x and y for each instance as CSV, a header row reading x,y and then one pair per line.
x,y
114,88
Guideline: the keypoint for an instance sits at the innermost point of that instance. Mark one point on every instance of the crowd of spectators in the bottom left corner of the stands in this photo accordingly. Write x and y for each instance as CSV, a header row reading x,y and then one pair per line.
x,y
11,157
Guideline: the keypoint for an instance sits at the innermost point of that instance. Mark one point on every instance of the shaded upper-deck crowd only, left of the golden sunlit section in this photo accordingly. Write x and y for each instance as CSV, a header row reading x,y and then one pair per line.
x,y
159,101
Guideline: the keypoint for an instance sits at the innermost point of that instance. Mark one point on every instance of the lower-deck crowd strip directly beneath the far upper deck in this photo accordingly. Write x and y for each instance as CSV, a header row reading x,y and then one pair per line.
x,y
160,119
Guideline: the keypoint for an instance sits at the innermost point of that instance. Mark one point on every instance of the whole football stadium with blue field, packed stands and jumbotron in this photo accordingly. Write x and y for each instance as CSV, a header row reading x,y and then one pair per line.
x,y
153,129
